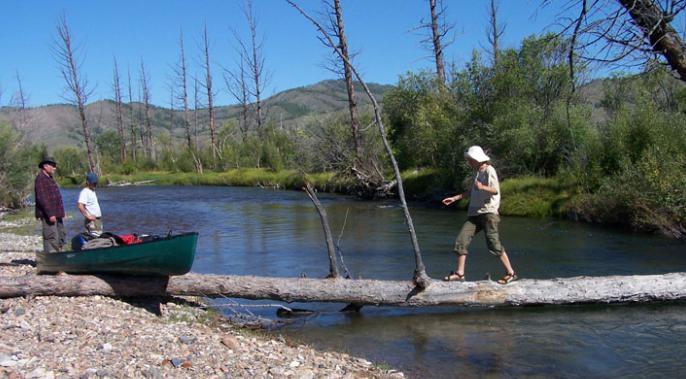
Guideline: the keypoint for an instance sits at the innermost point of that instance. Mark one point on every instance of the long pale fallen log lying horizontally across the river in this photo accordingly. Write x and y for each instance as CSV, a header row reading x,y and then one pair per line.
x,y
609,289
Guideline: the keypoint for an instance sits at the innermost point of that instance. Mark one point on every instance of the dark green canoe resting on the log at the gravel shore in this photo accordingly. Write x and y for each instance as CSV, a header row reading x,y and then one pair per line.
x,y
171,255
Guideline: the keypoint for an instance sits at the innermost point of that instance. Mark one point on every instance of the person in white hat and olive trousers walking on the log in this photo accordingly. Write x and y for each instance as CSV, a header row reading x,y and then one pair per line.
x,y
482,214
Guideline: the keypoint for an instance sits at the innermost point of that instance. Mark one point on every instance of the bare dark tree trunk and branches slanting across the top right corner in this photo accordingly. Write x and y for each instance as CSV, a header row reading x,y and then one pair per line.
x,y
627,32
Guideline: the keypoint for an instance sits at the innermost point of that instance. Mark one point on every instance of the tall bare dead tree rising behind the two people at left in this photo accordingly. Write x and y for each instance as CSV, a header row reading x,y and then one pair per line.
x,y
77,84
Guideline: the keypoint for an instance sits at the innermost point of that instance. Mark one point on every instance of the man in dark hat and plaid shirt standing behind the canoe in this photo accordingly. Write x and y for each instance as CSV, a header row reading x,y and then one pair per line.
x,y
49,207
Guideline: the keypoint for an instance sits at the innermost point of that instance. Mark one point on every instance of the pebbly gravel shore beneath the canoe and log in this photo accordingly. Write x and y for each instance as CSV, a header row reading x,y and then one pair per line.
x,y
101,337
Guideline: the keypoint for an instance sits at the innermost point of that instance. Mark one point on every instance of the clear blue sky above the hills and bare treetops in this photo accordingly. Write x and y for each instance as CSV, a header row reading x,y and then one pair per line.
x,y
381,32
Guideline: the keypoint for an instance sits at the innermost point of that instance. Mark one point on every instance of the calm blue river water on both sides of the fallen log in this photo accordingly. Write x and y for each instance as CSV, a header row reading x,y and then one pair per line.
x,y
250,231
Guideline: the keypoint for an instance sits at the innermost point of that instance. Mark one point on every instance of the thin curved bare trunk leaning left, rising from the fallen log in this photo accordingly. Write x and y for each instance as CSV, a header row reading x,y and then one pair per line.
x,y
421,279
